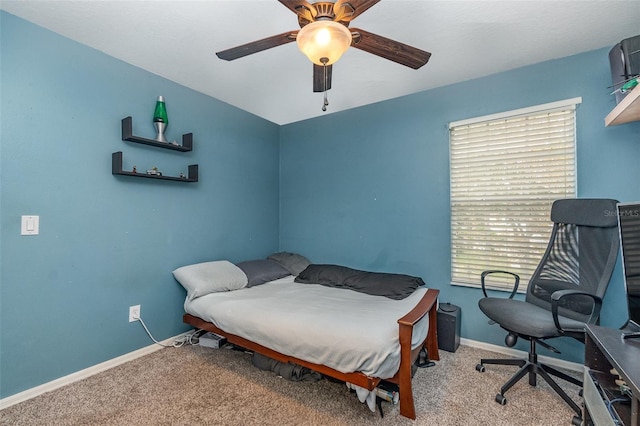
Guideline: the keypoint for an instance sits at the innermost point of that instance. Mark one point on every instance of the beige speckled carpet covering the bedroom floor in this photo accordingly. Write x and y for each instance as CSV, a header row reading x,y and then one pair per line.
x,y
193,385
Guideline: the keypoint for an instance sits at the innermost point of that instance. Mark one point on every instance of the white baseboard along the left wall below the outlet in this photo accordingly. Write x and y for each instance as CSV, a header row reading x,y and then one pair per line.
x,y
83,374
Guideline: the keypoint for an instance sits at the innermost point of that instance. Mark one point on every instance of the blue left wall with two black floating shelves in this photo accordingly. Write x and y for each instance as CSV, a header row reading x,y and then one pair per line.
x,y
107,242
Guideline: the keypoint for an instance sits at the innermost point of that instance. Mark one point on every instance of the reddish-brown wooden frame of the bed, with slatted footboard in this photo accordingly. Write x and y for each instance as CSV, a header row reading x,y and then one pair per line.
x,y
427,305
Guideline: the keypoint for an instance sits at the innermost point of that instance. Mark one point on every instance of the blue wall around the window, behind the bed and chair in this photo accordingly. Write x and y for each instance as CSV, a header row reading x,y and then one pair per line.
x,y
369,187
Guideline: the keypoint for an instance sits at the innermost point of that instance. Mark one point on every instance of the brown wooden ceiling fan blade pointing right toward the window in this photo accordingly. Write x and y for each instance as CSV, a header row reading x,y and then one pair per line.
x,y
392,50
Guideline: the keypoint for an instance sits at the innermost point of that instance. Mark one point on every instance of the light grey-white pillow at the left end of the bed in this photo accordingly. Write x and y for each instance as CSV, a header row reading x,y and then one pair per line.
x,y
210,277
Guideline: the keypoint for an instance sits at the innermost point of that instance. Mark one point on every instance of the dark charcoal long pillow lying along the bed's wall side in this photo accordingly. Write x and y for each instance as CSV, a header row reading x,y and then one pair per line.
x,y
393,286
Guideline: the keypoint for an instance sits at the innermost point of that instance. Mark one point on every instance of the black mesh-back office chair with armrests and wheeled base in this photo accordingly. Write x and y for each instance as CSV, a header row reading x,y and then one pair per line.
x,y
565,291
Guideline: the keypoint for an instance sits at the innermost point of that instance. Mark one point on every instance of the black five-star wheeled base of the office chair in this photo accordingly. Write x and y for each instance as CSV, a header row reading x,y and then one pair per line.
x,y
533,368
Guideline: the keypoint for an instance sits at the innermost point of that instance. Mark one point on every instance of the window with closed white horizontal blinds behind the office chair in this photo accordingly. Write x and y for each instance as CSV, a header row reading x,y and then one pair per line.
x,y
506,171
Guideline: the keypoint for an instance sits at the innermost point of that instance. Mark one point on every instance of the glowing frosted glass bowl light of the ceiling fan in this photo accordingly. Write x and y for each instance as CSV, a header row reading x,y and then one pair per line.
x,y
324,42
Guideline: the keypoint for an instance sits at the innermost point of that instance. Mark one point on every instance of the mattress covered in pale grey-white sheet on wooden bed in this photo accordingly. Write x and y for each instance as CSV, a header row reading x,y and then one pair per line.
x,y
339,328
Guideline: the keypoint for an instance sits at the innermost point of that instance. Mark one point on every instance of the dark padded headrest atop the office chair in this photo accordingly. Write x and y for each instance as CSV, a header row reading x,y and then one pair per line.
x,y
599,212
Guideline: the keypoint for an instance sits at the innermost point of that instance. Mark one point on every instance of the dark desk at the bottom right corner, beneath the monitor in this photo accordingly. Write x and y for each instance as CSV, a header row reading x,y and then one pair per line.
x,y
605,349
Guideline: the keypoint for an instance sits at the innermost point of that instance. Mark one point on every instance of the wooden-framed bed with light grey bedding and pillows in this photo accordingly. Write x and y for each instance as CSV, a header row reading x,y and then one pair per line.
x,y
355,326
